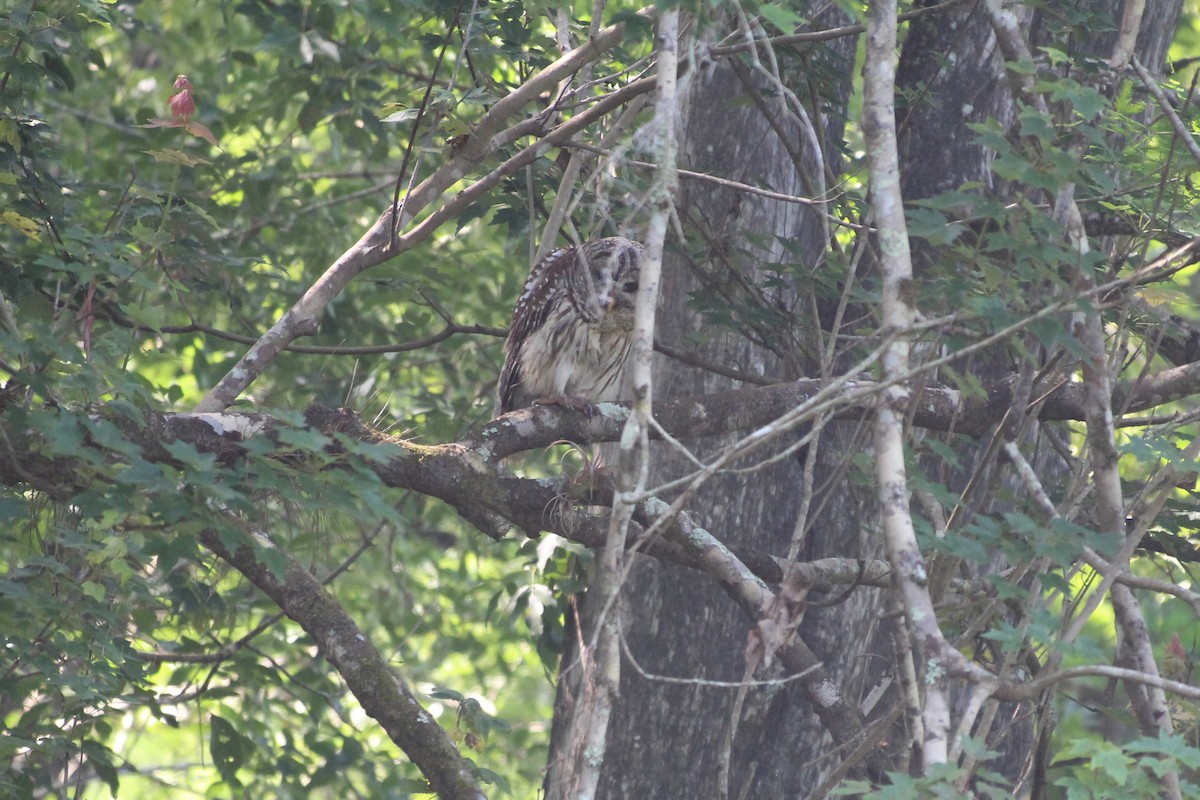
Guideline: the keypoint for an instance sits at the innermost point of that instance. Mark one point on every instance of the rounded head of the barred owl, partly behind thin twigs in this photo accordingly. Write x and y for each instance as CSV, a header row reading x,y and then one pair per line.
x,y
604,279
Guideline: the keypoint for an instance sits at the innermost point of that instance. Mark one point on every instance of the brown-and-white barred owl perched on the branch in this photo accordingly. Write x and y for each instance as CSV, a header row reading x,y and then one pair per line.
x,y
573,327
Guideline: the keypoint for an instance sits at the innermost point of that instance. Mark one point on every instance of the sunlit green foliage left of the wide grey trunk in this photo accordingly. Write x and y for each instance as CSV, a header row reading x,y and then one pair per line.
x,y
136,258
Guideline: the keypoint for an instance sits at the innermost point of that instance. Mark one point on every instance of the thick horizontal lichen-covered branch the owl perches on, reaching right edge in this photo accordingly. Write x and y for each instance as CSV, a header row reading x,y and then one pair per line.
x,y
429,470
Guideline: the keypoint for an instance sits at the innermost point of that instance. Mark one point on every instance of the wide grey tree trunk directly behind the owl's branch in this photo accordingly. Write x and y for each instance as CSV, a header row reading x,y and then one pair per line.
x,y
667,738
